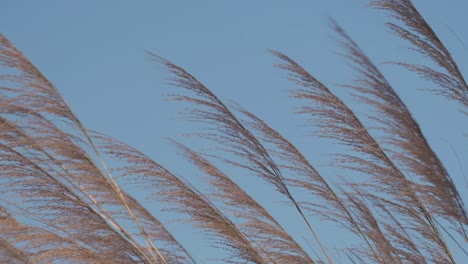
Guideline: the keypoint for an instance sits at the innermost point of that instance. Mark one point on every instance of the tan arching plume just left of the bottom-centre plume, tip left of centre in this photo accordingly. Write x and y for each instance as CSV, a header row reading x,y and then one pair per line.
x,y
183,198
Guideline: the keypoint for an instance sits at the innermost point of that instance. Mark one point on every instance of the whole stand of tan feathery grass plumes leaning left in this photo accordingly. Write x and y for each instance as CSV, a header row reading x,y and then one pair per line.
x,y
66,191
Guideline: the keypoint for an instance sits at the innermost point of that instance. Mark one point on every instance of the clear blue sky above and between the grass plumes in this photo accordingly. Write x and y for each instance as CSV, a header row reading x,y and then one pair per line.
x,y
94,52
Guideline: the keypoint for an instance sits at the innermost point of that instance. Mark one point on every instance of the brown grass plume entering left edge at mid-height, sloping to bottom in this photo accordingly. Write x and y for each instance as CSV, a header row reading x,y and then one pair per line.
x,y
41,195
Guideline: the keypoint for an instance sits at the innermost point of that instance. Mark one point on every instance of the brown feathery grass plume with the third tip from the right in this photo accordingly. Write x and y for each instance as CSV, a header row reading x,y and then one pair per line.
x,y
338,121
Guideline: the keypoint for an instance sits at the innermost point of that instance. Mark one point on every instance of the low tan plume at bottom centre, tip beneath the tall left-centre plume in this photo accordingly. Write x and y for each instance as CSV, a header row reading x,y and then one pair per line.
x,y
257,222
